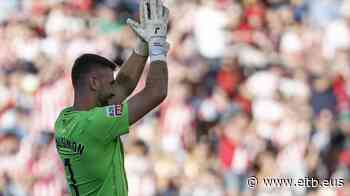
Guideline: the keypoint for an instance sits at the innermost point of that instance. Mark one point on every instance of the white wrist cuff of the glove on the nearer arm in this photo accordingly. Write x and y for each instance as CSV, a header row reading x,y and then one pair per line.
x,y
158,49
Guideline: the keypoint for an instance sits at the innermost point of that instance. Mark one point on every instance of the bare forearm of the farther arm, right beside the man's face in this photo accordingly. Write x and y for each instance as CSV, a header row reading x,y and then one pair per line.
x,y
128,77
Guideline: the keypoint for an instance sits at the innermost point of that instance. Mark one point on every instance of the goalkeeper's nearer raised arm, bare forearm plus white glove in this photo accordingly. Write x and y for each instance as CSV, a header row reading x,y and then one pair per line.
x,y
153,30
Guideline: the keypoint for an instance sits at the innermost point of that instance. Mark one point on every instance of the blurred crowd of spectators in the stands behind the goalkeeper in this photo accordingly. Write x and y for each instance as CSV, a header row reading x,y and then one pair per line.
x,y
257,87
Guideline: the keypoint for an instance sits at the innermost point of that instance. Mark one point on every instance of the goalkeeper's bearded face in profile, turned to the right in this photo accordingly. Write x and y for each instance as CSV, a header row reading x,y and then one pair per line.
x,y
105,87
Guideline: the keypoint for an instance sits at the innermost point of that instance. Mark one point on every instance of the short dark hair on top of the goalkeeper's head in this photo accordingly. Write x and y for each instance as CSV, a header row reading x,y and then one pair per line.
x,y
85,63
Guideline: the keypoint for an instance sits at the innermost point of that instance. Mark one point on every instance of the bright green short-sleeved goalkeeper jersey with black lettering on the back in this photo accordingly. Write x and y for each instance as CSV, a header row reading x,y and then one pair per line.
x,y
89,144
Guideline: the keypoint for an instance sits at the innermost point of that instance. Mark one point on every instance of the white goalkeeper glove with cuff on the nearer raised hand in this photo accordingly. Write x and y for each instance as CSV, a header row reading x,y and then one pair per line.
x,y
154,18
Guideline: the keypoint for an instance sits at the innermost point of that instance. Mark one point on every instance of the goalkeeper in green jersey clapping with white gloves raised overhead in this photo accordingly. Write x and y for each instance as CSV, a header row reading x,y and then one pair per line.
x,y
88,133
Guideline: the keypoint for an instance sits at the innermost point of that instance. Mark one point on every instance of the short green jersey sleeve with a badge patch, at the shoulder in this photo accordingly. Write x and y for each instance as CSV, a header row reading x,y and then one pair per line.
x,y
109,122
